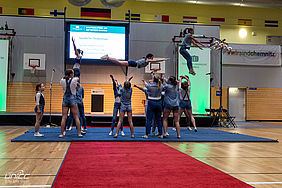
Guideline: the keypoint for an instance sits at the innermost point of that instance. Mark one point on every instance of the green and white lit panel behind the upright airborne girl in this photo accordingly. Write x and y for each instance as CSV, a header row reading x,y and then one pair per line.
x,y
200,83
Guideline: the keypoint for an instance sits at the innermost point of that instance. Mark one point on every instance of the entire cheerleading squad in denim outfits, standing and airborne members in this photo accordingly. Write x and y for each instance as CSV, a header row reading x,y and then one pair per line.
x,y
163,96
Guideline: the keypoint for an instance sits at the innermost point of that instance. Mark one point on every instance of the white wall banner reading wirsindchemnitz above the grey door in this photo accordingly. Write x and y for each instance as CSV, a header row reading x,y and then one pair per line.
x,y
253,54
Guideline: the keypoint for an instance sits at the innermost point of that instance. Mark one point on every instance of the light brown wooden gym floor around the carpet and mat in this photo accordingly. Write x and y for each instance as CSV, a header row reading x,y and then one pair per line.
x,y
259,164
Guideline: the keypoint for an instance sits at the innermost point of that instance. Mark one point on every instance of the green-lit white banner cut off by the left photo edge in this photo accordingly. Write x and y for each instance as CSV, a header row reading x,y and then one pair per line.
x,y
4,48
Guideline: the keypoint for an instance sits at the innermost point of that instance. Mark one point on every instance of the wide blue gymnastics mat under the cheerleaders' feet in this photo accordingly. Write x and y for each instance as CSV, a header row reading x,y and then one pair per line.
x,y
102,134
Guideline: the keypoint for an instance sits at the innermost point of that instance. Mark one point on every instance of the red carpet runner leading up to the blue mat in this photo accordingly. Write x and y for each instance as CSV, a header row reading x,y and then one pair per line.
x,y
138,164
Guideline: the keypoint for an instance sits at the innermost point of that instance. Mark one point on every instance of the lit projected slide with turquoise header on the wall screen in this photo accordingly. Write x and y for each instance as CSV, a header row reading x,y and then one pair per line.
x,y
98,40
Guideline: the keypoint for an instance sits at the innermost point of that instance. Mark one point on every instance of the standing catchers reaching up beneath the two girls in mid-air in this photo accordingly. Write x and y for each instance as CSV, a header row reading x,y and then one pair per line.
x,y
163,96
